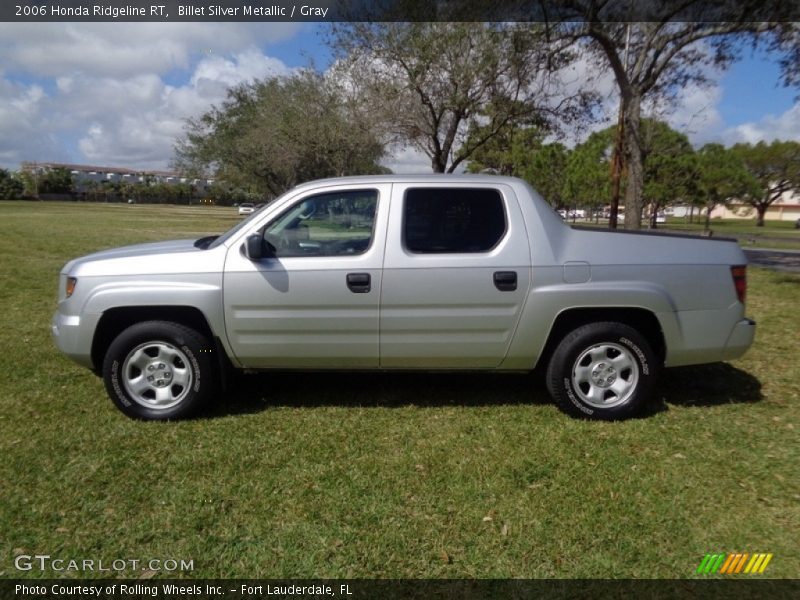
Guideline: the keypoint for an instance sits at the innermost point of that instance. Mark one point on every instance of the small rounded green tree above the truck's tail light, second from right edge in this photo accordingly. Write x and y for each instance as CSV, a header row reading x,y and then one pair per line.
x,y
720,176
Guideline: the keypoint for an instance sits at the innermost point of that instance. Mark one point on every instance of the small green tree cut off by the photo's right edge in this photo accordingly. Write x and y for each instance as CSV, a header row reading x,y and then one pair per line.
x,y
776,166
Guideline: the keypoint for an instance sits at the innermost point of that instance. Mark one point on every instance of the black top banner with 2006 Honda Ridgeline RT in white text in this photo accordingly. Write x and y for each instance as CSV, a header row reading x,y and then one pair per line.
x,y
402,10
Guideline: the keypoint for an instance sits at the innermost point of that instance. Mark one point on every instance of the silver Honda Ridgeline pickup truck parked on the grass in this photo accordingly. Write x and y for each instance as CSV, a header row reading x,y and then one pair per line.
x,y
404,272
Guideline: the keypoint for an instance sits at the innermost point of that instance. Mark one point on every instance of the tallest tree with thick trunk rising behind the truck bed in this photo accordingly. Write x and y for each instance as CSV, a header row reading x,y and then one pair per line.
x,y
653,59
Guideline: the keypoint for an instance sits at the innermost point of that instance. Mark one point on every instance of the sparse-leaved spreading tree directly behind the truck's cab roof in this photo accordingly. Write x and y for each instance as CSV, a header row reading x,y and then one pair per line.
x,y
449,88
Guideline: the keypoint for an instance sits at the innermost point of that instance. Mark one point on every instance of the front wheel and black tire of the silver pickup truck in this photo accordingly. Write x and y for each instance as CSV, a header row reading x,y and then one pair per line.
x,y
157,370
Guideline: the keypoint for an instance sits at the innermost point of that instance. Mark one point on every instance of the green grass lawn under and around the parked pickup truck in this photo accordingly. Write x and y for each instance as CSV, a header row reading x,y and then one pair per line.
x,y
398,475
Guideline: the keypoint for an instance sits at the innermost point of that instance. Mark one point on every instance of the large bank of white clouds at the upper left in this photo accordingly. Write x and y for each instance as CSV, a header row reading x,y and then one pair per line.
x,y
119,93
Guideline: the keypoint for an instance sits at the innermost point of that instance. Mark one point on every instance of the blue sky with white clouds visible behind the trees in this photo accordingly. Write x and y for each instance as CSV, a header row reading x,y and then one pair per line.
x,y
118,94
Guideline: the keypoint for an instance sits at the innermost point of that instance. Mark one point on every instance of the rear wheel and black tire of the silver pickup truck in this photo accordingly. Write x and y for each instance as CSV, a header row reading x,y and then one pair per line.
x,y
603,371
